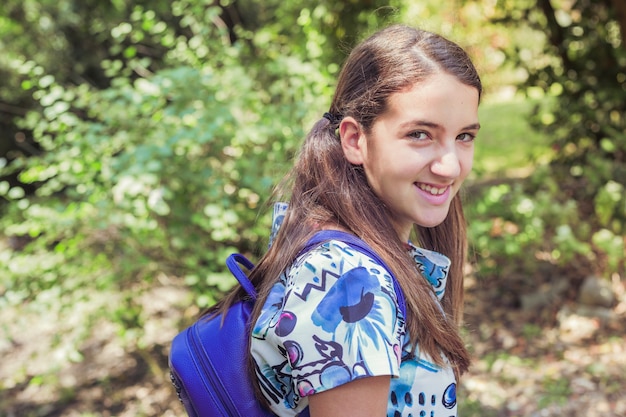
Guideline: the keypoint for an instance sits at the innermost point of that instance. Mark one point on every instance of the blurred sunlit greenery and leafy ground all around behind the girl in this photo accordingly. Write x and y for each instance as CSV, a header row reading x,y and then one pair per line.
x,y
140,140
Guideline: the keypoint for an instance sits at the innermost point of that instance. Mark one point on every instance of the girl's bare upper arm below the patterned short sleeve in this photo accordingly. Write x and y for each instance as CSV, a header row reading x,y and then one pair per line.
x,y
365,397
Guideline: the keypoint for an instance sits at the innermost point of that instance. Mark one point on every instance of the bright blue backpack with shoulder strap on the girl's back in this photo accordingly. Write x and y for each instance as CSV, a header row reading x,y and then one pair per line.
x,y
208,360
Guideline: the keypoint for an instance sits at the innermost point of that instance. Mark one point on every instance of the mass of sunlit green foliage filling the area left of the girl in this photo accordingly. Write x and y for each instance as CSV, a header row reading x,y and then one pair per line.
x,y
160,165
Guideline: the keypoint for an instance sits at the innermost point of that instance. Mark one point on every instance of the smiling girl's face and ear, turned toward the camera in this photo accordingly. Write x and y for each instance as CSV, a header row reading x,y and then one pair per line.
x,y
419,152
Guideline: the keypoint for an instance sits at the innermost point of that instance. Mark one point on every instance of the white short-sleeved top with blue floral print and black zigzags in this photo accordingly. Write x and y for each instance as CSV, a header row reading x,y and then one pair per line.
x,y
332,318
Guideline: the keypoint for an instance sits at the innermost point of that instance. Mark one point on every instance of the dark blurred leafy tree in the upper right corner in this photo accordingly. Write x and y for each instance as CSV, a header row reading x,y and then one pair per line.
x,y
575,59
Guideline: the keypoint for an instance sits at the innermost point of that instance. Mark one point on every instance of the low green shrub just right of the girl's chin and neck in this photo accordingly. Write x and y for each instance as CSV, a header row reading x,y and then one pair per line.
x,y
510,221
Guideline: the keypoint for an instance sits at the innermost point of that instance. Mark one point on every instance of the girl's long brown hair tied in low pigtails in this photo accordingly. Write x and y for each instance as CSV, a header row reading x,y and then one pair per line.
x,y
324,188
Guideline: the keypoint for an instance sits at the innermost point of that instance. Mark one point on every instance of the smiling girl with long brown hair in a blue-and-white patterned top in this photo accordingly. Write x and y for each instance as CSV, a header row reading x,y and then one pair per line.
x,y
384,164
